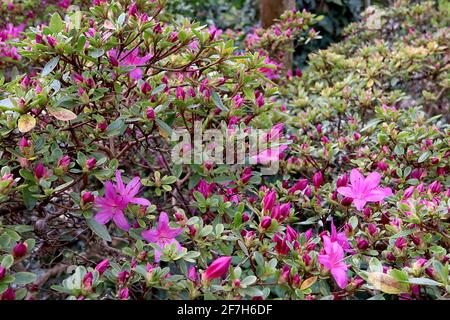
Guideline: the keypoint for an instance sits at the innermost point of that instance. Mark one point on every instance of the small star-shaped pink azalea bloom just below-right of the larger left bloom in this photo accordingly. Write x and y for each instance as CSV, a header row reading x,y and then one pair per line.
x,y
163,235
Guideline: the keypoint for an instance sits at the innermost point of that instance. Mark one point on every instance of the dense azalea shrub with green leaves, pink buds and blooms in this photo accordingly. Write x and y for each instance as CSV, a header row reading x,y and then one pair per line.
x,y
93,204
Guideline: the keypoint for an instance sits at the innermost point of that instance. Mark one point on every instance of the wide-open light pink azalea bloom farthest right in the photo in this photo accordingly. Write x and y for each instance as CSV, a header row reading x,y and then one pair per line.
x,y
363,190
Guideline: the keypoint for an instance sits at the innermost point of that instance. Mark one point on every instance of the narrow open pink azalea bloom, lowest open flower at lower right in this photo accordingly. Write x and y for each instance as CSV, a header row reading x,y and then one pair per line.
x,y
333,260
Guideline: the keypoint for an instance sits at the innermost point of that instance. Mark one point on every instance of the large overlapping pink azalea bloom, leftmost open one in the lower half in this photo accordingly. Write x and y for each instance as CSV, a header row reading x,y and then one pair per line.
x,y
116,199
